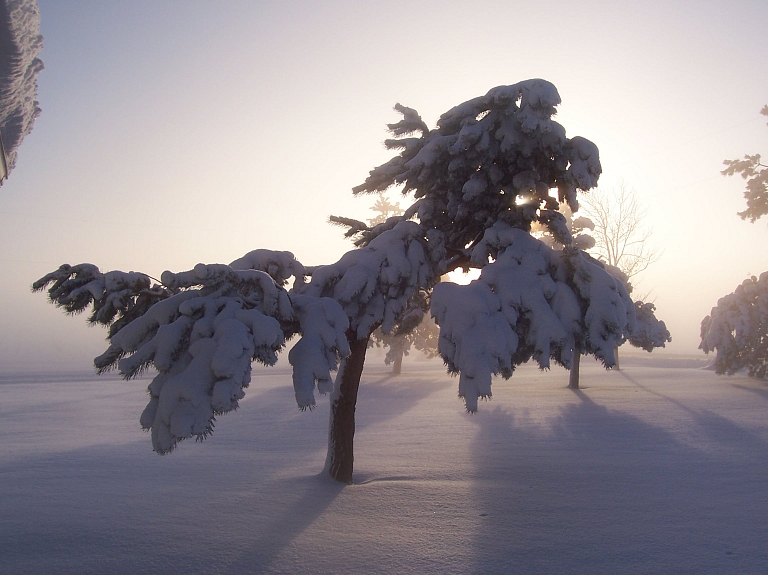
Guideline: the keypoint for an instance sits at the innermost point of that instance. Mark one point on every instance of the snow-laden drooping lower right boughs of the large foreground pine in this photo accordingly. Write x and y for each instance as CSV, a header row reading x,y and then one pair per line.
x,y
531,302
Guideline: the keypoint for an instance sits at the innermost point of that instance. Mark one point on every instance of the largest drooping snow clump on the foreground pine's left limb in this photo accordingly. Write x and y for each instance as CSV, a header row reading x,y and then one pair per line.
x,y
203,347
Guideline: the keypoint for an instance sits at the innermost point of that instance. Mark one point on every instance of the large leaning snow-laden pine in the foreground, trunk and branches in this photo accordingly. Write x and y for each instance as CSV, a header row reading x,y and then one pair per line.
x,y
479,180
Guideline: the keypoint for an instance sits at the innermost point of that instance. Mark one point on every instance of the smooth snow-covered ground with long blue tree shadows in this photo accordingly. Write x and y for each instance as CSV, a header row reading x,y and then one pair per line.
x,y
659,468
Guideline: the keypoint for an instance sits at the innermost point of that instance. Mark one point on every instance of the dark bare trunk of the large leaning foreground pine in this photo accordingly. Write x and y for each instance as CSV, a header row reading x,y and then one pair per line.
x,y
341,433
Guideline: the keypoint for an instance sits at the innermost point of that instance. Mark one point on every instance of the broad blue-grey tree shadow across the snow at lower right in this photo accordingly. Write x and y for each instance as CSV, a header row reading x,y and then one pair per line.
x,y
596,490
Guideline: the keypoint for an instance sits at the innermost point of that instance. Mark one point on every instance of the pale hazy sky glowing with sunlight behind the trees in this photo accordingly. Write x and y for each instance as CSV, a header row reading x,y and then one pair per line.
x,y
179,132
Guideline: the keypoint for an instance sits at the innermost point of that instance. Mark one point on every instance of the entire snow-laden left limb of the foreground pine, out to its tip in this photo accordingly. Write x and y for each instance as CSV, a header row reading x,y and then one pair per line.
x,y
201,330
